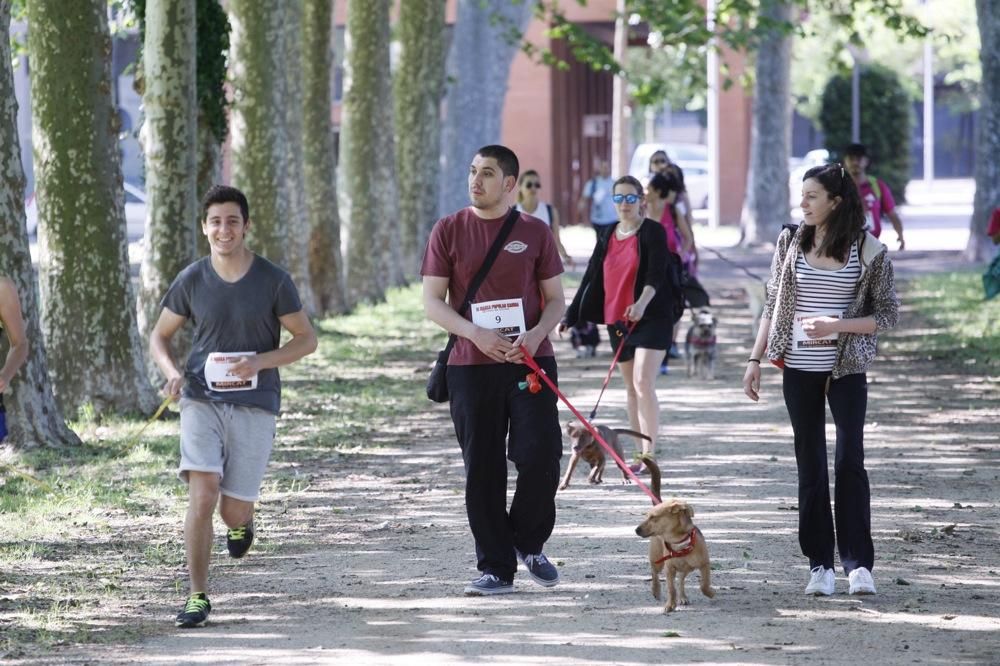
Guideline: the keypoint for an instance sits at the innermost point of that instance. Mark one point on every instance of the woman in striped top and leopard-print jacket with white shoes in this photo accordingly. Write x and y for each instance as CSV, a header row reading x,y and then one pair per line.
x,y
831,292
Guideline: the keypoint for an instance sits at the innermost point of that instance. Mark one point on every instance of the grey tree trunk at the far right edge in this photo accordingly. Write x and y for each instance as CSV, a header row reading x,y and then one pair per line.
x,y
987,170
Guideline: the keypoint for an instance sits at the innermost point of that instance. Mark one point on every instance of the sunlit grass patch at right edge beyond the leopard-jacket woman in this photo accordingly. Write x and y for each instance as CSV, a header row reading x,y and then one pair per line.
x,y
963,327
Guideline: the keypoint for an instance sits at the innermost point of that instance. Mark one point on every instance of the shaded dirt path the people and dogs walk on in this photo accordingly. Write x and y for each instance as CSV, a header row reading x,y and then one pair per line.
x,y
375,549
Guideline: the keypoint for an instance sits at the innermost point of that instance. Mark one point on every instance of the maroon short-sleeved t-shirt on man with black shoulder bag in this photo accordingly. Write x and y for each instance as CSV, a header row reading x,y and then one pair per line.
x,y
456,249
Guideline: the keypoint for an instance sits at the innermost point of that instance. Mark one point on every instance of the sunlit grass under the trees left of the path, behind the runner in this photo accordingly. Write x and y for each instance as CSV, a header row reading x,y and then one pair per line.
x,y
105,532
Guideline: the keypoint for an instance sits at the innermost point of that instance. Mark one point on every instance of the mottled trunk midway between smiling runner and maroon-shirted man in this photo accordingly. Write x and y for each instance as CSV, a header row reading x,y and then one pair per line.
x,y
367,189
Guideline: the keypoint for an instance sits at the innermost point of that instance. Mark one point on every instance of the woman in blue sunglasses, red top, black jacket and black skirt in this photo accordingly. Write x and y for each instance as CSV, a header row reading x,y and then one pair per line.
x,y
631,281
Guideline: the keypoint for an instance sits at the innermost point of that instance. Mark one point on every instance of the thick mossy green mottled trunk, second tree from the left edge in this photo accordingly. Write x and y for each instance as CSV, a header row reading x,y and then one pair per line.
x,y
88,313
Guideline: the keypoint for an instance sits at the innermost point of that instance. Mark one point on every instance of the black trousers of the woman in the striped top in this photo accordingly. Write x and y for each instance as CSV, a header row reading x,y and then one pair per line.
x,y
806,400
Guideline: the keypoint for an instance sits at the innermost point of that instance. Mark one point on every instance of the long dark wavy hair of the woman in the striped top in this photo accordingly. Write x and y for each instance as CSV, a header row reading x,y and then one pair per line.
x,y
845,222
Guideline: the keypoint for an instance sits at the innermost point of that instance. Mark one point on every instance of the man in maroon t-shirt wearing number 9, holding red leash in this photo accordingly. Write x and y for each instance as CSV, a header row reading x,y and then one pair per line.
x,y
519,303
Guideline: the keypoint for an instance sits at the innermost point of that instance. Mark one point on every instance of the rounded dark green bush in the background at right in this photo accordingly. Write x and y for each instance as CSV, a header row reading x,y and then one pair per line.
x,y
886,122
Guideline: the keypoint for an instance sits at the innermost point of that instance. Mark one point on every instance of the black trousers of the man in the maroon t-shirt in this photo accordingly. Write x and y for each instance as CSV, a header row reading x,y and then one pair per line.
x,y
496,420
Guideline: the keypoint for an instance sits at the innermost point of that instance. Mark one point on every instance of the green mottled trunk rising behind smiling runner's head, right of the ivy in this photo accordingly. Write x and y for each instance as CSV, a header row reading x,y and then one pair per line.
x,y
257,122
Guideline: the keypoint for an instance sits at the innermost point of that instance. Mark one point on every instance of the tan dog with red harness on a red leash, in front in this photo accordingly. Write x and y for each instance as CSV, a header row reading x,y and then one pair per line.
x,y
675,544
